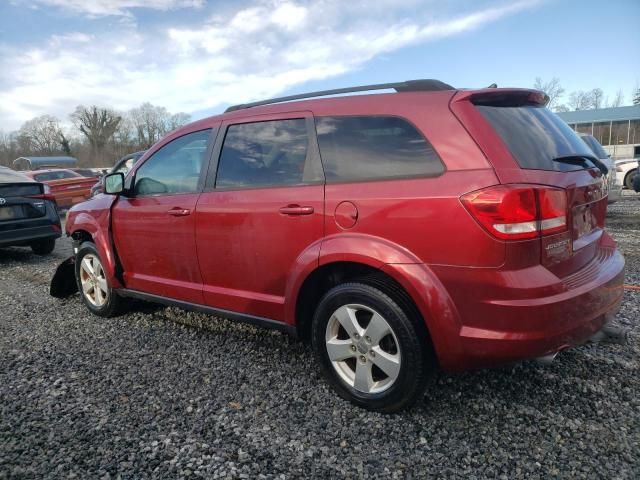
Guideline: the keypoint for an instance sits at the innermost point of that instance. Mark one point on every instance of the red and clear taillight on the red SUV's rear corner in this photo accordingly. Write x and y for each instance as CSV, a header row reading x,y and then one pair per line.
x,y
516,212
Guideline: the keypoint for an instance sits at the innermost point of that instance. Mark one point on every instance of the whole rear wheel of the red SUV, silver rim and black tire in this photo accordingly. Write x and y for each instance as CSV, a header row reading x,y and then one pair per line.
x,y
369,349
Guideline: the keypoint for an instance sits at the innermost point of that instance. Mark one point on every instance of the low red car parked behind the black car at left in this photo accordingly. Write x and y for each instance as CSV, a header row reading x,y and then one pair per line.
x,y
67,187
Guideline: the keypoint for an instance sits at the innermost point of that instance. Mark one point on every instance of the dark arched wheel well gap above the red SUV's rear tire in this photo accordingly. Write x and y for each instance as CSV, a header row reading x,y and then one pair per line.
x,y
323,279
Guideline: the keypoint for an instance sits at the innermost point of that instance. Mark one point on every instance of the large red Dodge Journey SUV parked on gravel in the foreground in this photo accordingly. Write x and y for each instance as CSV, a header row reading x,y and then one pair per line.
x,y
397,231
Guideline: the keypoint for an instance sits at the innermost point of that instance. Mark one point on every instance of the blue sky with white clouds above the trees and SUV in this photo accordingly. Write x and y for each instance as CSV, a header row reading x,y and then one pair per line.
x,y
199,56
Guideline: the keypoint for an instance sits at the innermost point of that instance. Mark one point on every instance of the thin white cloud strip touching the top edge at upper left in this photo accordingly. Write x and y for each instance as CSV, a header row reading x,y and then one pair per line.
x,y
117,7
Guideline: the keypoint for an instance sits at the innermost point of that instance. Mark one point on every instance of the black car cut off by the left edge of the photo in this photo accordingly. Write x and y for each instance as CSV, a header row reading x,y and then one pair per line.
x,y
28,214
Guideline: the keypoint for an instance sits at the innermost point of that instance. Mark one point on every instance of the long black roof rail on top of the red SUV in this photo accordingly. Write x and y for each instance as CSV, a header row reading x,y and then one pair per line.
x,y
422,85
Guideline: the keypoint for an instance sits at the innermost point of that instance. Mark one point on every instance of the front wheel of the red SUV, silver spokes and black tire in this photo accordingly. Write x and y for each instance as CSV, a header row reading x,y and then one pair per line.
x,y
94,289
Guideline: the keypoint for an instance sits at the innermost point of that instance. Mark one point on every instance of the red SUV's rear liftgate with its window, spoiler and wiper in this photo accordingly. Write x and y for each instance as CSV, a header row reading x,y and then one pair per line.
x,y
527,143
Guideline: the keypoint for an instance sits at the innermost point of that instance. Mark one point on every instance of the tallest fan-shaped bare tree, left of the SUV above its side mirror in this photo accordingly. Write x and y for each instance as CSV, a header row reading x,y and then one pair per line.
x,y
98,125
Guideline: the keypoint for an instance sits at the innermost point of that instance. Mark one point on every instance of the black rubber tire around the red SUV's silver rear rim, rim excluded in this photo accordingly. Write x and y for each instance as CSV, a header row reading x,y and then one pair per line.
x,y
416,365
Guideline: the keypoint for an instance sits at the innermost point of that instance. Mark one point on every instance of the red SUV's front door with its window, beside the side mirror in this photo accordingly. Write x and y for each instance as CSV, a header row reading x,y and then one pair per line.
x,y
154,227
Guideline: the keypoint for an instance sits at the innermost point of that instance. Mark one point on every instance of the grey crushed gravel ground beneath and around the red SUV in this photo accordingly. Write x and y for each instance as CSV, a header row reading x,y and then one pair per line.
x,y
148,395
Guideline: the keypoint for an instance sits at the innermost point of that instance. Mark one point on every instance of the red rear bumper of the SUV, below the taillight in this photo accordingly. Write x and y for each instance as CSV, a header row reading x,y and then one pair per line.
x,y
502,330
